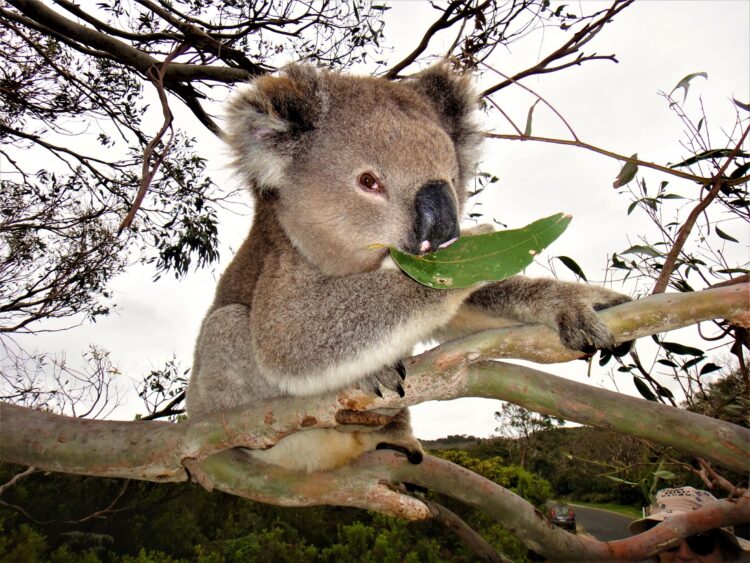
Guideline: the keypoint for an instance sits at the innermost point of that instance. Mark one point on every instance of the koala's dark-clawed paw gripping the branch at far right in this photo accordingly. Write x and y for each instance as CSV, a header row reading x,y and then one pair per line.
x,y
580,328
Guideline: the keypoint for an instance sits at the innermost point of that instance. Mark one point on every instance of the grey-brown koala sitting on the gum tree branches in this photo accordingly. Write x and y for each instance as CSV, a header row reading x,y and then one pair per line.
x,y
336,164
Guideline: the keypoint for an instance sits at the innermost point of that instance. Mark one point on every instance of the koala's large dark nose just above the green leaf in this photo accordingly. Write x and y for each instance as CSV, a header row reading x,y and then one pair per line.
x,y
436,220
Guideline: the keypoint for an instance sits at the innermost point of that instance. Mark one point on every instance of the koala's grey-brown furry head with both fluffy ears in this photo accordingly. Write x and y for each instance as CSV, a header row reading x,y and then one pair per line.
x,y
352,161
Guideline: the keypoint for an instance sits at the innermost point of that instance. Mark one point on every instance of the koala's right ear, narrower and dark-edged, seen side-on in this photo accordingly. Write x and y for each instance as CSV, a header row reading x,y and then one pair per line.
x,y
453,96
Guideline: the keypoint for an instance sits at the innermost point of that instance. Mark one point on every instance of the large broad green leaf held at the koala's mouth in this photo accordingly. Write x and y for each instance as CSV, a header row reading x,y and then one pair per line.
x,y
486,257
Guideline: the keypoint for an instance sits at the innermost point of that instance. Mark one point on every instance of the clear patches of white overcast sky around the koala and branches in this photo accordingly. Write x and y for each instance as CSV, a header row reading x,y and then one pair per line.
x,y
614,106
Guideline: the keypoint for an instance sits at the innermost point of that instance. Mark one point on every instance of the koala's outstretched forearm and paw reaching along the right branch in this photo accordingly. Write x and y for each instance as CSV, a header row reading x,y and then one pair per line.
x,y
569,308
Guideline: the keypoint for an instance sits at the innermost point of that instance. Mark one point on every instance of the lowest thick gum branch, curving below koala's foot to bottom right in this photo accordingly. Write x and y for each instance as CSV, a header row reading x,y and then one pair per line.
x,y
242,476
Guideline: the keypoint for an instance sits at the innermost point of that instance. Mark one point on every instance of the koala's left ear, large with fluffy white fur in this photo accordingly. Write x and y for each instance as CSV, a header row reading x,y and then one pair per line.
x,y
266,116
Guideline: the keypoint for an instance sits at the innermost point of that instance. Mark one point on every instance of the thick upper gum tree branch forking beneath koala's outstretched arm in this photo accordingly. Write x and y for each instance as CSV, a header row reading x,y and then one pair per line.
x,y
153,450
